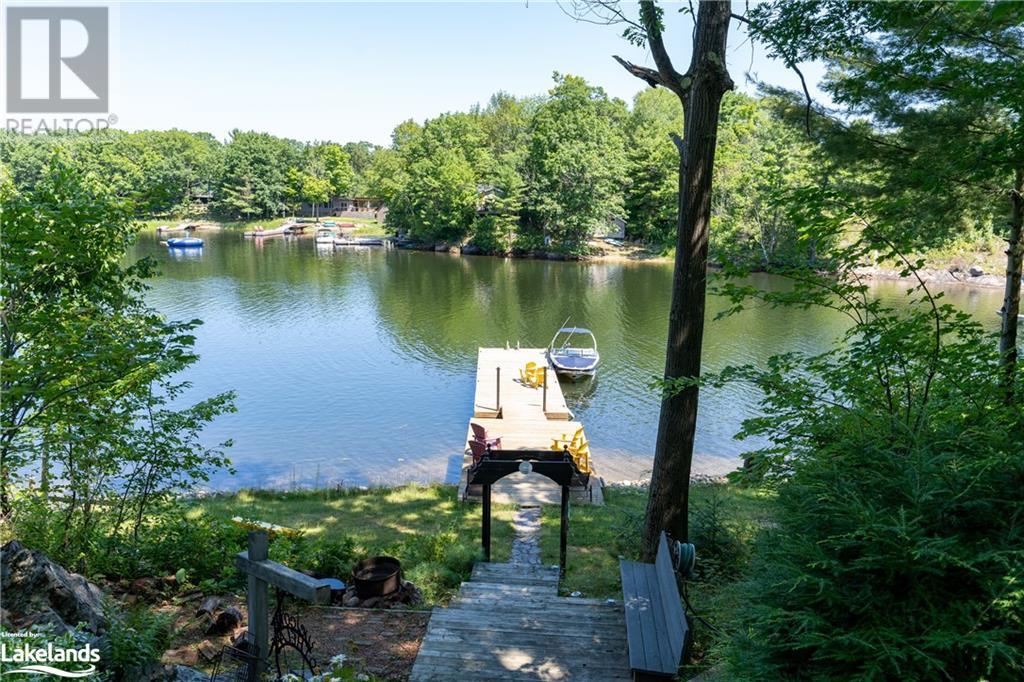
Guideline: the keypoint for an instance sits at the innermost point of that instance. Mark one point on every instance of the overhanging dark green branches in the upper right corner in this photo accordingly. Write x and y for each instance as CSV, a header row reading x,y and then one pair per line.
x,y
943,93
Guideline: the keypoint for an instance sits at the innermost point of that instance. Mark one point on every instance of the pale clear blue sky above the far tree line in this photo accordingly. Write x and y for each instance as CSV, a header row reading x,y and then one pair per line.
x,y
353,71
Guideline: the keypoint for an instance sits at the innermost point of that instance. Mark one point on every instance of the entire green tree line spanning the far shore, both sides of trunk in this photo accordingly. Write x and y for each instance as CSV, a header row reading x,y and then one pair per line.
x,y
541,174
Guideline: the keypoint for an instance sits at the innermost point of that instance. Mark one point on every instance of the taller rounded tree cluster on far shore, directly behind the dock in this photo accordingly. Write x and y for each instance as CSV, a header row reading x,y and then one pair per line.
x,y
518,175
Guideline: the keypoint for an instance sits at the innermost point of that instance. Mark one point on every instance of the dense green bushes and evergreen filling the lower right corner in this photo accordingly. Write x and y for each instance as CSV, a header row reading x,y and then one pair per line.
x,y
899,544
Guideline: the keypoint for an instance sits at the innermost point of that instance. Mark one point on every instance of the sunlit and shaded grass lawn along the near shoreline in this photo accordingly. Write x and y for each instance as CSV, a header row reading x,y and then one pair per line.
x,y
438,538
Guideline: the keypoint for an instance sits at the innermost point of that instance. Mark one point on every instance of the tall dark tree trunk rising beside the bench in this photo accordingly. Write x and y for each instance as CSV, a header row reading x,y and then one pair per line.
x,y
709,80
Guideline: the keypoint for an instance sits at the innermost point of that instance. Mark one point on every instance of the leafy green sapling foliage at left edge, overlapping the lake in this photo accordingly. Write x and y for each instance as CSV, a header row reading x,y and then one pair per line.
x,y
94,441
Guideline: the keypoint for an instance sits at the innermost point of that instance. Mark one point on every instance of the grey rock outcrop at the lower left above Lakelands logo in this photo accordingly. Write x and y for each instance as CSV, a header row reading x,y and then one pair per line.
x,y
37,590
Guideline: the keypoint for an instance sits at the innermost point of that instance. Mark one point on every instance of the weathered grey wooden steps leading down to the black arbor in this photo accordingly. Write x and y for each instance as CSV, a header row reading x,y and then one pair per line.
x,y
508,623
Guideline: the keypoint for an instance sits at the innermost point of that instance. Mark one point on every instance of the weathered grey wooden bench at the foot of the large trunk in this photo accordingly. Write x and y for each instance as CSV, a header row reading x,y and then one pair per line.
x,y
656,626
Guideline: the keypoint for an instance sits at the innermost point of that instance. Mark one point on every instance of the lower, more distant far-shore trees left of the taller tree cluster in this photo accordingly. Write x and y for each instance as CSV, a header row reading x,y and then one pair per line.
x,y
180,174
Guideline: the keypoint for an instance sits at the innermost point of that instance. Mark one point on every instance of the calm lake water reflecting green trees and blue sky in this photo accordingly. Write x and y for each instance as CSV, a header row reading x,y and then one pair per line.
x,y
359,366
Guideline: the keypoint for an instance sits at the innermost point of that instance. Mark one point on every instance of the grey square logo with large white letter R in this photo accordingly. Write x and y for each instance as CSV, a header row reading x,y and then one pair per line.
x,y
58,60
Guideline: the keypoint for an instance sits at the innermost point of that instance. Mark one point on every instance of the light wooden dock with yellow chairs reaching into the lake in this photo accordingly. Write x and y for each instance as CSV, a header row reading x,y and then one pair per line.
x,y
525,418
